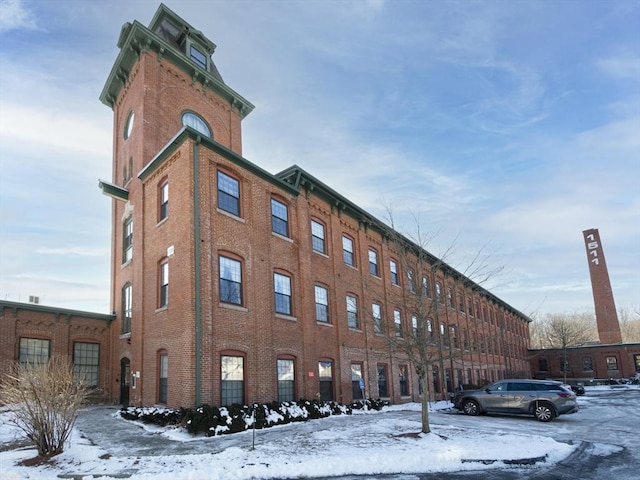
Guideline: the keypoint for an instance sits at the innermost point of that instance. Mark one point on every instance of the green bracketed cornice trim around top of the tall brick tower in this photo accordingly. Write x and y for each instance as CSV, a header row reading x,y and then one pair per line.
x,y
135,39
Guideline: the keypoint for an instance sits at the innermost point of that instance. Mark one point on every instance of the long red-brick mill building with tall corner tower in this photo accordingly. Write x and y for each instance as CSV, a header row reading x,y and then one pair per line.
x,y
232,284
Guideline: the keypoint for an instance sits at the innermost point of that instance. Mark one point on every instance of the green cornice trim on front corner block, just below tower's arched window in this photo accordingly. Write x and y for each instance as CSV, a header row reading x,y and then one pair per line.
x,y
186,133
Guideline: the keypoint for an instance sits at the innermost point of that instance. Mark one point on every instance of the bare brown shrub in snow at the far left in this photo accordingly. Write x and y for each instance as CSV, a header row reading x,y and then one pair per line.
x,y
44,399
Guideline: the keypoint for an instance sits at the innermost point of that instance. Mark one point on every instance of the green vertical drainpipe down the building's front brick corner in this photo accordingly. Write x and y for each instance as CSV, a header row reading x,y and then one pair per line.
x,y
196,241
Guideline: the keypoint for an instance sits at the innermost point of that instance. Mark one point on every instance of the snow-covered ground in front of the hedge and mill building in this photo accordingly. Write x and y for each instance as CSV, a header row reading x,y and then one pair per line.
x,y
370,443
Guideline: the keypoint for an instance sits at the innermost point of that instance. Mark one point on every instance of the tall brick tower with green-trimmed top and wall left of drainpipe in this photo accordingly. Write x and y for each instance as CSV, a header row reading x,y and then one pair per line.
x,y
163,83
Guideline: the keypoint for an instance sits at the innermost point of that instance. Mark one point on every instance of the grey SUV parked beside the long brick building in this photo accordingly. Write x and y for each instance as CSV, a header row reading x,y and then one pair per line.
x,y
543,399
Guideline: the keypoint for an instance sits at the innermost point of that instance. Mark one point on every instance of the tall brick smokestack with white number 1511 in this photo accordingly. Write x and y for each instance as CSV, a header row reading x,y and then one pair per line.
x,y
606,316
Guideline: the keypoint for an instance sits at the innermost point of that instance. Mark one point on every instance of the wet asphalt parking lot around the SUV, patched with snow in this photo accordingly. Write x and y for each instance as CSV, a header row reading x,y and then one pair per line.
x,y
606,431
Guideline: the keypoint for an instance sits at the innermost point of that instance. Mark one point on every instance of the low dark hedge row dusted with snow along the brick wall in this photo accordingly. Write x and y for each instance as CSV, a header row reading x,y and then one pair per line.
x,y
210,420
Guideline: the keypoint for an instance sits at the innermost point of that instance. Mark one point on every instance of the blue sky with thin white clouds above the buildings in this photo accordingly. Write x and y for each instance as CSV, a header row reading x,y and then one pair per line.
x,y
507,126
